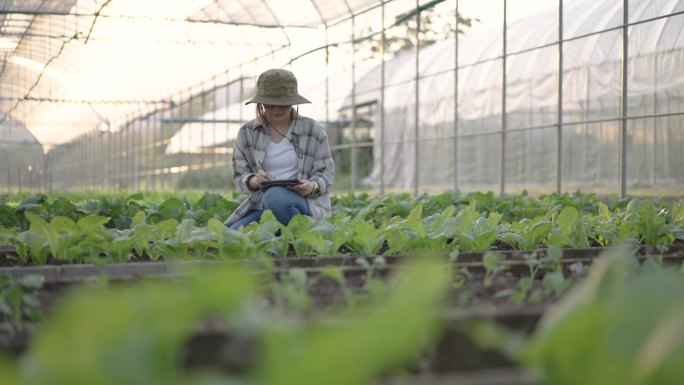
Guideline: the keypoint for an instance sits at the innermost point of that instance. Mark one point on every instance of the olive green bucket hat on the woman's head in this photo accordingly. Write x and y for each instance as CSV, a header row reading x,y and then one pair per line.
x,y
277,87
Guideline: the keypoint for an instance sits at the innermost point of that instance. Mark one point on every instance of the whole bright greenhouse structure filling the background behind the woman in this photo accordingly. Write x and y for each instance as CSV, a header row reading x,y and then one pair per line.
x,y
100,95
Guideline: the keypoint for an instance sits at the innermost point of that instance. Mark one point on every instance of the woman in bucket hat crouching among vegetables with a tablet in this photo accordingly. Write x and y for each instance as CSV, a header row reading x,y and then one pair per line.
x,y
280,144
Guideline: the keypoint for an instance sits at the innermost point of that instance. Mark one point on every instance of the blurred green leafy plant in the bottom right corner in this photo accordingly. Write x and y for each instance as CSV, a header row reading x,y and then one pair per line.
x,y
622,325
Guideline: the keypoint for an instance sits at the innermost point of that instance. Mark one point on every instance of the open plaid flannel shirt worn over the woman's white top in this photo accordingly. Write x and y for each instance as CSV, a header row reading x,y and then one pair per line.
x,y
316,164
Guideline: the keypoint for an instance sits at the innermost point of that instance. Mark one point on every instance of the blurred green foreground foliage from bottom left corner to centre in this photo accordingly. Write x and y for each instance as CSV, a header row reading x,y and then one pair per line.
x,y
138,334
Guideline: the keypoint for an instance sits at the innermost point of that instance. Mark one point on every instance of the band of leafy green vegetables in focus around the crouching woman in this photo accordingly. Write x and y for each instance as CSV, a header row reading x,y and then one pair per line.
x,y
114,229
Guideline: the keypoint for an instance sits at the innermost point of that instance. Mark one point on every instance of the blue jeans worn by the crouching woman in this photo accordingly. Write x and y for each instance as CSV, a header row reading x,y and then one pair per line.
x,y
283,202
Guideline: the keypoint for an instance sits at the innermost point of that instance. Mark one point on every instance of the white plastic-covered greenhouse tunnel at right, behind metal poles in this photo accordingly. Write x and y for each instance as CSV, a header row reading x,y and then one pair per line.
x,y
433,152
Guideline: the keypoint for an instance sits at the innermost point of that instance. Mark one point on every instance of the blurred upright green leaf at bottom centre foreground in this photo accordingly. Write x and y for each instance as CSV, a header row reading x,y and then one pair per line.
x,y
364,345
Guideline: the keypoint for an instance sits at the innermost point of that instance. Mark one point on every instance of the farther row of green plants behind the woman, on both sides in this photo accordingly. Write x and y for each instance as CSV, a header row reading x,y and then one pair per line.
x,y
200,207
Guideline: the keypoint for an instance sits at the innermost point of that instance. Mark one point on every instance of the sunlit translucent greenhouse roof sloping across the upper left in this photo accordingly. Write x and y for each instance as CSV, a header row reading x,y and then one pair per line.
x,y
72,66
